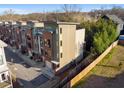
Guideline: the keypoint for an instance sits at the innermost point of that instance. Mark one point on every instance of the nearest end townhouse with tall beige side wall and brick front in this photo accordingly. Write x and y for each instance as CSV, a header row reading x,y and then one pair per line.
x,y
62,43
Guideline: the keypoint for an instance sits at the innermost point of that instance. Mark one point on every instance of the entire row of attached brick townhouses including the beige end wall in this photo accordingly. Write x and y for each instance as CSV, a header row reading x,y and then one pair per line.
x,y
54,43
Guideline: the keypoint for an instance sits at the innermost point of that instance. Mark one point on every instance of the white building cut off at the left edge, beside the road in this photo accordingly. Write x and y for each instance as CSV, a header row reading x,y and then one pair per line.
x,y
5,77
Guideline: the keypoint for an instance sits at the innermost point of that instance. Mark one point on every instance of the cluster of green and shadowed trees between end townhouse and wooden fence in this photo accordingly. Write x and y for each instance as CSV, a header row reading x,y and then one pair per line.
x,y
99,35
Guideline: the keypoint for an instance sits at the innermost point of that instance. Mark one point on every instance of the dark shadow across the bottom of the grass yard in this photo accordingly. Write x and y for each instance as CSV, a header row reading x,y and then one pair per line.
x,y
95,81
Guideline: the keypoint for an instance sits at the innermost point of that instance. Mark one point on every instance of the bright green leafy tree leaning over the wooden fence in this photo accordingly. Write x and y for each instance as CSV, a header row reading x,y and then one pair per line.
x,y
105,35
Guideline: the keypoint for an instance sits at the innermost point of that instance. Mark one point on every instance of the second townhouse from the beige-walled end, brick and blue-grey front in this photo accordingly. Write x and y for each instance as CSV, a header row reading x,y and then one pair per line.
x,y
34,38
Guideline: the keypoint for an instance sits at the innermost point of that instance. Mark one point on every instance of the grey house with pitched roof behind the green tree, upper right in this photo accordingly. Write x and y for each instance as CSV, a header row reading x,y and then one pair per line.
x,y
119,22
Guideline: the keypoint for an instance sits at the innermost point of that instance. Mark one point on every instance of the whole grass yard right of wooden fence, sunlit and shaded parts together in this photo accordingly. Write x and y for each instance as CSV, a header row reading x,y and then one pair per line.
x,y
108,73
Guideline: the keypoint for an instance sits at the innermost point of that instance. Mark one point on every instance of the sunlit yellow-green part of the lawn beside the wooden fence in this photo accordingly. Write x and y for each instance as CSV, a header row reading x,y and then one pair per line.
x,y
110,66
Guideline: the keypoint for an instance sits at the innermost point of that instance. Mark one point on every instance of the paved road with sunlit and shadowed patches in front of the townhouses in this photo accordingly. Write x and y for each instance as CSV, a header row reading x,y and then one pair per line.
x,y
29,76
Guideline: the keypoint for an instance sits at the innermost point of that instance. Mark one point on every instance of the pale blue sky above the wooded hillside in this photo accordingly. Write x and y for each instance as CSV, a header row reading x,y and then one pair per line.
x,y
38,8
